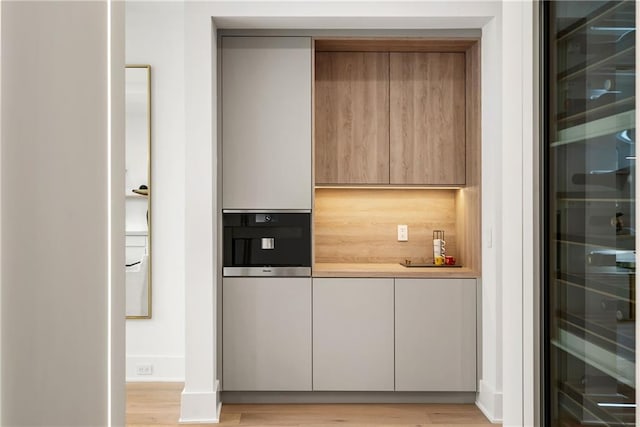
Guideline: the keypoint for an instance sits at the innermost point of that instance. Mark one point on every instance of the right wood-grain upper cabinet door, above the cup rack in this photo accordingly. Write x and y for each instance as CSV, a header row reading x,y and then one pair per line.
x,y
427,118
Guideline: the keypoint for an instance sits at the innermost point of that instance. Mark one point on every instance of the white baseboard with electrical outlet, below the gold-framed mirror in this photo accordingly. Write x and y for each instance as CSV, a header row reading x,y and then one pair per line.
x,y
164,368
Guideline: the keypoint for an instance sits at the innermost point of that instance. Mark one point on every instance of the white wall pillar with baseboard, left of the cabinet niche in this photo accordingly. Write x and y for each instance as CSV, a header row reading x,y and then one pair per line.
x,y
200,397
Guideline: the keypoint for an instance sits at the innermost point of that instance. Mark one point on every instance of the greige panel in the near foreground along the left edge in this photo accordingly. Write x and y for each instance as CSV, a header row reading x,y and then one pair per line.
x,y
61,269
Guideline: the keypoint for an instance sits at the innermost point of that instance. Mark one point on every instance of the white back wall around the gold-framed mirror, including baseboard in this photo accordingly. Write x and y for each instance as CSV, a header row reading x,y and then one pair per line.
x,y
155,36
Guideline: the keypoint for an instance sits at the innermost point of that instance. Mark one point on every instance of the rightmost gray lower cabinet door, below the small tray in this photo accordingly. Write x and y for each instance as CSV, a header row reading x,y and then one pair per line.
x,y
435,334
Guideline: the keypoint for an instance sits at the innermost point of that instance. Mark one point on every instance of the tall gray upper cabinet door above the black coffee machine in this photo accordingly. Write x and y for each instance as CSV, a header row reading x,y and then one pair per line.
x,y
266,122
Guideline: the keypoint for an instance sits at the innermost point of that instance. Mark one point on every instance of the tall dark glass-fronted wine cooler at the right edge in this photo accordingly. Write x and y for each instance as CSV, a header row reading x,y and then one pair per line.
x,y
589,178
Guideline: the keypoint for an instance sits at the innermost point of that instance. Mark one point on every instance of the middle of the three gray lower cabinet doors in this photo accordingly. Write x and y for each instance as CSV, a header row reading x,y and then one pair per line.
x,y
352,334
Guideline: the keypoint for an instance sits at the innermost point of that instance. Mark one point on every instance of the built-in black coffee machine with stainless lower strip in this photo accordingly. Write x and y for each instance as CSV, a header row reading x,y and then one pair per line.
x,y
266,243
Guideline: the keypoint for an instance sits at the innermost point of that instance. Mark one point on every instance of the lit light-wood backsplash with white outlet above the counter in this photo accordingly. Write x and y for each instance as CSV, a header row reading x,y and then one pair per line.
x,y
360,225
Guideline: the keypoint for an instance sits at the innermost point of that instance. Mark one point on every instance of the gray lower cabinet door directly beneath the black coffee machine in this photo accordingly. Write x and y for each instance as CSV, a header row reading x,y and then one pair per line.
x,y
266,327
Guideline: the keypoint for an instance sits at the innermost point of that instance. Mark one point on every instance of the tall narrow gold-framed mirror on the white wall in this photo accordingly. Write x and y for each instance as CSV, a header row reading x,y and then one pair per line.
x,y
138,190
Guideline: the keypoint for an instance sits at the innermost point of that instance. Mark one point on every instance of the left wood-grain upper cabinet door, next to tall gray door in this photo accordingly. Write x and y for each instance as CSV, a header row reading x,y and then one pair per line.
x,y
352,118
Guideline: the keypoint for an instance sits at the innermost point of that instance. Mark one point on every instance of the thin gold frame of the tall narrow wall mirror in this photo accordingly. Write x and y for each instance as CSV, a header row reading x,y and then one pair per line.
x,y
148,195
